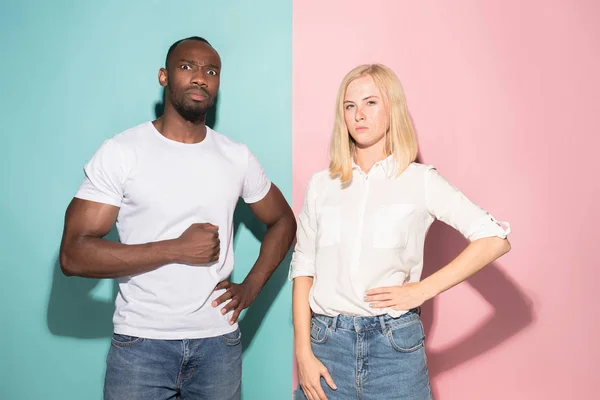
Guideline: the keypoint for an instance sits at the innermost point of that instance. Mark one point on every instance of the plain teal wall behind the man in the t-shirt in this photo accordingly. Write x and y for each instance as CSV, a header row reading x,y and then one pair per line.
x,y
73,74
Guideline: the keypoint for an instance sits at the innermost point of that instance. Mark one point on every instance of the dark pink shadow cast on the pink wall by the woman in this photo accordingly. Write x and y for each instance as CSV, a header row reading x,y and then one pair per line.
x,y
513,310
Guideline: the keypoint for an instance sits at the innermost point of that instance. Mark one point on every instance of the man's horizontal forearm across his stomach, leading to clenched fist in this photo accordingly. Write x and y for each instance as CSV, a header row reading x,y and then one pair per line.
x,y
93,257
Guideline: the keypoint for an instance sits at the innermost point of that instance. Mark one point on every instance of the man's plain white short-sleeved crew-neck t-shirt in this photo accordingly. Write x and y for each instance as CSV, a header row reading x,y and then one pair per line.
x,y
162,187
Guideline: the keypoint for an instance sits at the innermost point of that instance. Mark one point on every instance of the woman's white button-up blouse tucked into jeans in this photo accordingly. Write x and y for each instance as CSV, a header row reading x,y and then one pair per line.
x,y
372,233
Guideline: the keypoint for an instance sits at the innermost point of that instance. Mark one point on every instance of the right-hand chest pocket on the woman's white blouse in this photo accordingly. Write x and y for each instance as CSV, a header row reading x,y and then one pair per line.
x,y
391,225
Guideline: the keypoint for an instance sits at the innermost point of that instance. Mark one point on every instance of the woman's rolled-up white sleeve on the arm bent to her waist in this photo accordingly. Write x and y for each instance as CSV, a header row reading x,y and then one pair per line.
x,y
449,205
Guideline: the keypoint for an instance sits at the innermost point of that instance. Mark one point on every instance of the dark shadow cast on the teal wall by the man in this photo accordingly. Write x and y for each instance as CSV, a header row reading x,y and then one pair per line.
x,y
74,312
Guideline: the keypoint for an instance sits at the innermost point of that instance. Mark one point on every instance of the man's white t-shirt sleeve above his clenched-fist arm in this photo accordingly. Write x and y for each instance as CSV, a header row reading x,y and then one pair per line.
x,y
104,175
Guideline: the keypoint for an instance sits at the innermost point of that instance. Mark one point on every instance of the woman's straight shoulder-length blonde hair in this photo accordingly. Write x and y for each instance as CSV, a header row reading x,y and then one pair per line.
x,y
400,139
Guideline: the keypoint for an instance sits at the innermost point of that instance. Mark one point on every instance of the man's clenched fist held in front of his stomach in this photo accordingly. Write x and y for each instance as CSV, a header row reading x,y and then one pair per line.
x,y
199,244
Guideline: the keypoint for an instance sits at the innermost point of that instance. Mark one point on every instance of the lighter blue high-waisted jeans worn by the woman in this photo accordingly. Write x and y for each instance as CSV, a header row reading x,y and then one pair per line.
x,y
371,358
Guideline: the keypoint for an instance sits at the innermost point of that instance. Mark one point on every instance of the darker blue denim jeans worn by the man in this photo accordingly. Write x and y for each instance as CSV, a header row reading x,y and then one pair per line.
x,y
149,369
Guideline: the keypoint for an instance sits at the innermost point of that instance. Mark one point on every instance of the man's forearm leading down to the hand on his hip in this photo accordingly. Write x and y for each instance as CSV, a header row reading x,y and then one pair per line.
x,y
274,247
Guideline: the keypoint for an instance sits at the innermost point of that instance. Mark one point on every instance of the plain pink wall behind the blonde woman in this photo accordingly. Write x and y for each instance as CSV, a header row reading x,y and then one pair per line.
x,y
505,96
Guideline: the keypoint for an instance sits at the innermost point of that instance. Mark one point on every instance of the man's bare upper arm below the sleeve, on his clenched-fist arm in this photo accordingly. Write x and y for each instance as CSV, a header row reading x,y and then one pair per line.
x,y
89,218
